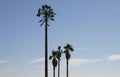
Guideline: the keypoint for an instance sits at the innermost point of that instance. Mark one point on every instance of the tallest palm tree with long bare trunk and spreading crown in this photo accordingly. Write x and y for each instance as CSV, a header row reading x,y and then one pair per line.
x,y
46,13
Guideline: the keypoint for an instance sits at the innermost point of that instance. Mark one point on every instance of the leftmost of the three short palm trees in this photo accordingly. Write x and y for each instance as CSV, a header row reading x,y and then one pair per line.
x,y
54,61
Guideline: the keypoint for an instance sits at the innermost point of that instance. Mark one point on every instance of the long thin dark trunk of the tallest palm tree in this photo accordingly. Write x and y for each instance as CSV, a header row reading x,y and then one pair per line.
x,y
46,46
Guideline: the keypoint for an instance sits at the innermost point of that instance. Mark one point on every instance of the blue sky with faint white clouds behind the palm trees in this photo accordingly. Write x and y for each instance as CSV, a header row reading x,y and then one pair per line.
x,y
91,26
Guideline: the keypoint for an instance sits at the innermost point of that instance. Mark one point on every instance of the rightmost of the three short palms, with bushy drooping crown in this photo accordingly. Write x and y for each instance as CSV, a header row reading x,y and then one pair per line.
x,y
68,48
